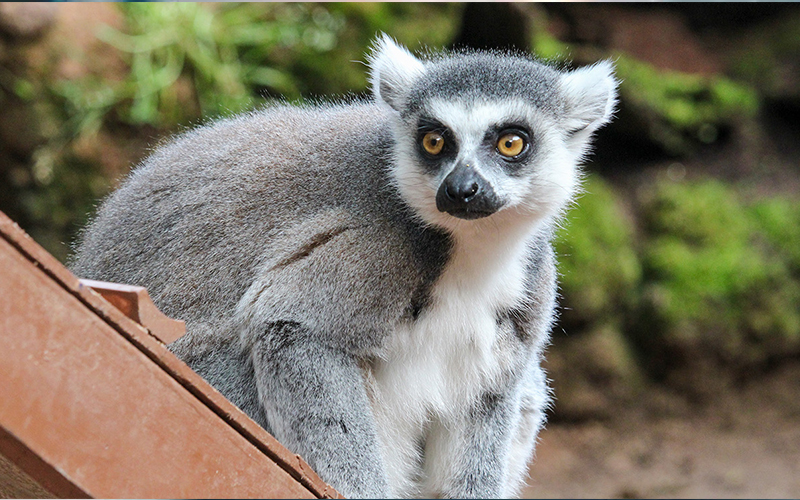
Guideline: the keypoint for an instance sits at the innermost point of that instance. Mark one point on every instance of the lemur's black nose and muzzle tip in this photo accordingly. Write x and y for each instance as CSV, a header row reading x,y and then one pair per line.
x,y
466,194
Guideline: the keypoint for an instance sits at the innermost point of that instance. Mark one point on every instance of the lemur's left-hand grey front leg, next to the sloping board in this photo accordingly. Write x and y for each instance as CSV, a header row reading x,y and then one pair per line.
x,y
315,401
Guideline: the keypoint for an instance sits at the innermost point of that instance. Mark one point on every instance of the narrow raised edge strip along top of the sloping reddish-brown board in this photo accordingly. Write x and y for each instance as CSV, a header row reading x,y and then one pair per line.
x,y
155,349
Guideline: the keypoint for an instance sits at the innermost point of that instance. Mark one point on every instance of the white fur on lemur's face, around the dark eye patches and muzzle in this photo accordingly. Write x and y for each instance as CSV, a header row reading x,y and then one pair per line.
x,y
541,194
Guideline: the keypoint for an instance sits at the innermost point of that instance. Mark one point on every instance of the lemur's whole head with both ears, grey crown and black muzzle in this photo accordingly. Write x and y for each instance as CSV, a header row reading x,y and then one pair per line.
x,y
482,134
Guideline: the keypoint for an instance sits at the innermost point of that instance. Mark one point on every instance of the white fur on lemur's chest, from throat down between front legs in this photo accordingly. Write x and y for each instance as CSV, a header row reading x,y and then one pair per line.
x,y
434,368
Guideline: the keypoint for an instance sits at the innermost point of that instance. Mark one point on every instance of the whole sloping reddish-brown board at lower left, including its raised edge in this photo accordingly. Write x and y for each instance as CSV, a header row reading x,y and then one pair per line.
x,y
93,405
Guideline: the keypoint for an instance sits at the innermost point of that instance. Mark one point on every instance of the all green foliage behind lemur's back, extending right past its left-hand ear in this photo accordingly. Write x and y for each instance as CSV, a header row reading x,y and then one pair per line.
x,y
191,60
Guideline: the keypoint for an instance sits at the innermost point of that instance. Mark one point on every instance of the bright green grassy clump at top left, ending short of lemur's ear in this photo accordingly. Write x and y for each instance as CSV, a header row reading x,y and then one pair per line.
x,y
189,59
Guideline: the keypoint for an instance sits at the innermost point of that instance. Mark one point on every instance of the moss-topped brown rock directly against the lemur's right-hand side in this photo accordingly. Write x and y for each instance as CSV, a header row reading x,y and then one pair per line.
x,y
599,276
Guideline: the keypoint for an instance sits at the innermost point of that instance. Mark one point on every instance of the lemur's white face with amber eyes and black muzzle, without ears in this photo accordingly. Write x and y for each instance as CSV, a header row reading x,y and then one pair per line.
x,y
470,160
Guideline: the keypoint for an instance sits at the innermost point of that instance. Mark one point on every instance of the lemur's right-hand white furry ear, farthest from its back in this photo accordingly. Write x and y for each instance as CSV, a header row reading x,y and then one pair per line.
x,y
591,94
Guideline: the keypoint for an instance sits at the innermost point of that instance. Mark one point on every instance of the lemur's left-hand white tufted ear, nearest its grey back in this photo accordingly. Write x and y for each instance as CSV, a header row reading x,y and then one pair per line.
x,y
392,71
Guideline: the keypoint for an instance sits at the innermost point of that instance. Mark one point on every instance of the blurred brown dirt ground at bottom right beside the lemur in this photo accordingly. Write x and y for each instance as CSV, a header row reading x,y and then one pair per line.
x,y
744,445
